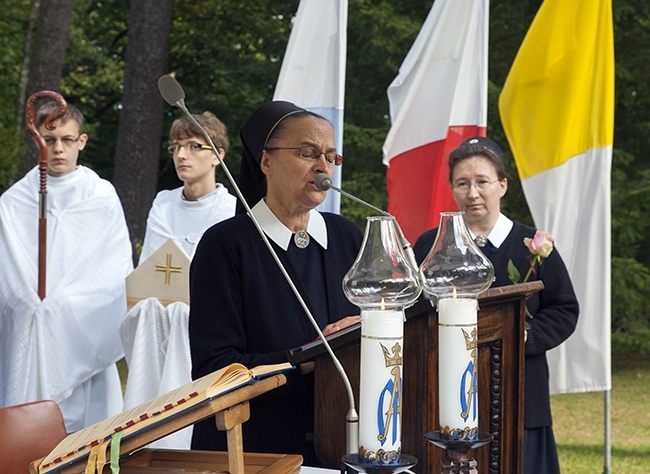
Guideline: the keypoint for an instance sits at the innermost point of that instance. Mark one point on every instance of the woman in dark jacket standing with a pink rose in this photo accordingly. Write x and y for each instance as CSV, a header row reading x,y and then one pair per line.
x,y
478,179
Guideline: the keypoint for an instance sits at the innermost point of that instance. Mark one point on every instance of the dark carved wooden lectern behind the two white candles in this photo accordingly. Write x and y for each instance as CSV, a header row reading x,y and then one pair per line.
x,y
501,324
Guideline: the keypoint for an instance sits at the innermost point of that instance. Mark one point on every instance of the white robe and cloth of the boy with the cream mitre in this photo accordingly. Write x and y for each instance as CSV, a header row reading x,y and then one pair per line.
x,y
156,338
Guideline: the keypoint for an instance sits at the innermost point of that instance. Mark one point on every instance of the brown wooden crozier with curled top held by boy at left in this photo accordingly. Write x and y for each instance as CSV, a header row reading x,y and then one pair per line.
x,y
42,168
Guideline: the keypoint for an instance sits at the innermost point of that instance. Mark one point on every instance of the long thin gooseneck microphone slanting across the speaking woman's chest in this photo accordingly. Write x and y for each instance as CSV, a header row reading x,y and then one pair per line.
x,y
174,95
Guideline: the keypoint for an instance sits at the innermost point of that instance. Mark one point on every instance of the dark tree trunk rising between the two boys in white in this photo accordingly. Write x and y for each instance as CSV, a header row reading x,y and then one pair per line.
x,y
138,148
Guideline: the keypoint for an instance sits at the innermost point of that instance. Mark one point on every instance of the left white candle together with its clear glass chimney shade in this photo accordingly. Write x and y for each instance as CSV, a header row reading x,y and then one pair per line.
x,y
381,282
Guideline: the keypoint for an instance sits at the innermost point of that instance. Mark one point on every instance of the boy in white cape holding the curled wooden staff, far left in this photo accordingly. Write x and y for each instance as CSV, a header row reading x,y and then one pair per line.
x,y
65,347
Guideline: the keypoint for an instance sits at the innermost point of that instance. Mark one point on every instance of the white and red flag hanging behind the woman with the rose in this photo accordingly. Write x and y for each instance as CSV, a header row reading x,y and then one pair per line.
x,y
438,99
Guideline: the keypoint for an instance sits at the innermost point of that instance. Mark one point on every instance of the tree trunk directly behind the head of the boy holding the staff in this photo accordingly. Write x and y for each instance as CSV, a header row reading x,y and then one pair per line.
x,y
48,48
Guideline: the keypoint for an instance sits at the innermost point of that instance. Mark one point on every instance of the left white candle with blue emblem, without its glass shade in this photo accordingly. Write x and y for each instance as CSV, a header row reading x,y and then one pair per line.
x,y
380,399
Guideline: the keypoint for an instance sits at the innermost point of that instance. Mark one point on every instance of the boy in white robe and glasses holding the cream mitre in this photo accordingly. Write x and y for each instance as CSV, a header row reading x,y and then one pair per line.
x,y
163,362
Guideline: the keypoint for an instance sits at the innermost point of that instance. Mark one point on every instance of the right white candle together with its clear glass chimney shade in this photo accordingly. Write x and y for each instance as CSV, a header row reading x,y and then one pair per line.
x,y
455,272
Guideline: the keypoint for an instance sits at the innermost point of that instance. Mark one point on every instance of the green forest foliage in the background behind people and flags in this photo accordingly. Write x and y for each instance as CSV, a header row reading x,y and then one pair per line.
x,y
227,55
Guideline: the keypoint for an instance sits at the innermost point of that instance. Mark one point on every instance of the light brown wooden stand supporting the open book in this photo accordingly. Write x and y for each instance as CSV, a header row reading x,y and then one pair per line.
x,y
230,411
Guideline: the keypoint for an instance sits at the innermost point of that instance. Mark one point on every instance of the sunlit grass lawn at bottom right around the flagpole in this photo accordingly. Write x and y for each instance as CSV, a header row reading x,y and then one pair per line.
x,y
579,422
